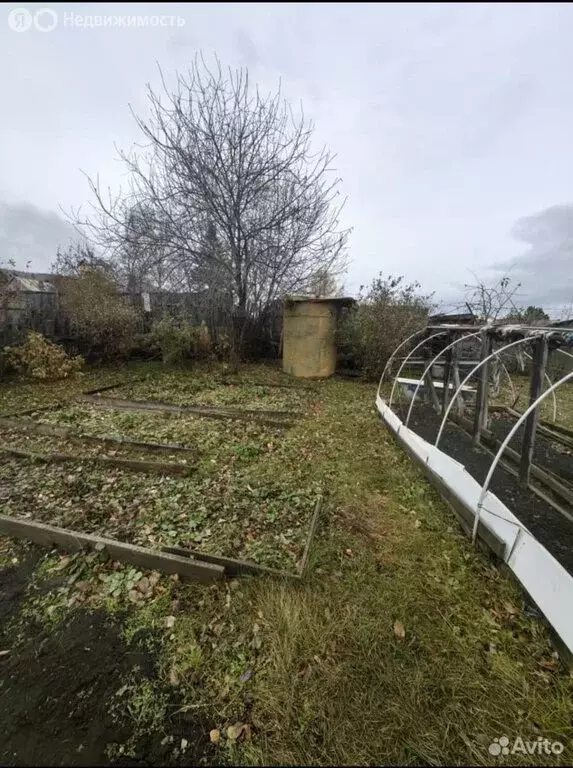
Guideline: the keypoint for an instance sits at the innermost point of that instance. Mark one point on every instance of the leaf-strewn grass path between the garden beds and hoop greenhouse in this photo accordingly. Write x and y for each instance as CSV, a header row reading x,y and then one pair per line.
x,y
403,645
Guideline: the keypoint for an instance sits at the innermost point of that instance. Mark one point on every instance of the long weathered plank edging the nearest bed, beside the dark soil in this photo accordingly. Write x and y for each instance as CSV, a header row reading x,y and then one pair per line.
x,y
72,541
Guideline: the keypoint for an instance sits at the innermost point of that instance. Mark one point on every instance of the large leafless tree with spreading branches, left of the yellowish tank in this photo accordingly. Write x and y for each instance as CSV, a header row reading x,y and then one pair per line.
x,y
220,155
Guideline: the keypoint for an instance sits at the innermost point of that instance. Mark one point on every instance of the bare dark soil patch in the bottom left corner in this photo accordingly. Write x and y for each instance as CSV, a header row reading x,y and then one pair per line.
x,y
56,688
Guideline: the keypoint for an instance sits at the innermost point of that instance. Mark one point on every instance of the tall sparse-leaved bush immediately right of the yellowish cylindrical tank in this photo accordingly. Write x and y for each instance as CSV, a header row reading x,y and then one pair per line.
x,y
385,315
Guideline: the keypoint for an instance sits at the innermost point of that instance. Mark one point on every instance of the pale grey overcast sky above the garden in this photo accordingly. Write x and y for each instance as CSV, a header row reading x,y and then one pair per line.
x,y
450,124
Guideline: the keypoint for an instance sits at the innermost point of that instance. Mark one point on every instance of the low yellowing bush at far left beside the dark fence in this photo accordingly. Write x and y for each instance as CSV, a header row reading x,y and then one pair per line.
x,y
38,358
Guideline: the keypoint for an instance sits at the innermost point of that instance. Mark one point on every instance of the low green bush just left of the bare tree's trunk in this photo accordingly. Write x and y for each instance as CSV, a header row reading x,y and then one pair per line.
x,y
178,341
